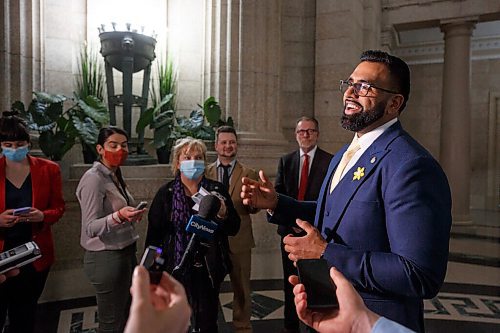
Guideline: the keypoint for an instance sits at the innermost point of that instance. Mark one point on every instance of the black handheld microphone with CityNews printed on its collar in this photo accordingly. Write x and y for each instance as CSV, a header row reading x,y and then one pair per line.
x,y
202,227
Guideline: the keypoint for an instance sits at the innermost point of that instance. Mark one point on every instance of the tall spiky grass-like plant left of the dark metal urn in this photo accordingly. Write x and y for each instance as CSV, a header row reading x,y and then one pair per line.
x,y
90,81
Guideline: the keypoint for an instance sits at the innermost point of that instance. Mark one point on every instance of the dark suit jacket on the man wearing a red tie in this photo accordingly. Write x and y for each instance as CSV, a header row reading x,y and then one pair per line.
x,y
287,178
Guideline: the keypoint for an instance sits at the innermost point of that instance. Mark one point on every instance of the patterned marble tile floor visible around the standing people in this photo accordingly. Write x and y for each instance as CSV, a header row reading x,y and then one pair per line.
x,y
468,302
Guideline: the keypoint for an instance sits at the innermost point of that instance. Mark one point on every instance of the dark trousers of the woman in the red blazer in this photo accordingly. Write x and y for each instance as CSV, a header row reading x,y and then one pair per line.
x,y
19,298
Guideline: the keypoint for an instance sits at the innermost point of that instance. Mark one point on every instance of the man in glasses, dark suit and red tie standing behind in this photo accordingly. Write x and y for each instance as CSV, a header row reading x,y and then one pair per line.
x,y
300,175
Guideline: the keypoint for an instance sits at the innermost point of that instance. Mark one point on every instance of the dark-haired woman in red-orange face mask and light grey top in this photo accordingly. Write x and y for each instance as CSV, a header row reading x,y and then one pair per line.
x,y
108,232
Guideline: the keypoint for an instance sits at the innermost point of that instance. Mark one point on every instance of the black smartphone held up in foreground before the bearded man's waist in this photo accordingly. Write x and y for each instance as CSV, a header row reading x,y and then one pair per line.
x,y
314,274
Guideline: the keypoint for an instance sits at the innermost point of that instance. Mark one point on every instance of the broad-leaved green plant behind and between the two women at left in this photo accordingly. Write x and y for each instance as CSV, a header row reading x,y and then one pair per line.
x,y
59,129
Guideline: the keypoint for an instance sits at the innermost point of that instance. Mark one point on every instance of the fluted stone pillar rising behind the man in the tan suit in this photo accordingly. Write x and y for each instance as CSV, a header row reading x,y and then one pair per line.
x,y
242,71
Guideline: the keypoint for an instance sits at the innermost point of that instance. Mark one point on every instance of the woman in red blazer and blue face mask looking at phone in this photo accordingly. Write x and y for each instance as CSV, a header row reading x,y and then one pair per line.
x,y
26,181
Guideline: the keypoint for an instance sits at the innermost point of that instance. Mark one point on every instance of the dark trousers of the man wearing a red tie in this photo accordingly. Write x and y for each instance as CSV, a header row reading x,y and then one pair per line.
x,y
291,318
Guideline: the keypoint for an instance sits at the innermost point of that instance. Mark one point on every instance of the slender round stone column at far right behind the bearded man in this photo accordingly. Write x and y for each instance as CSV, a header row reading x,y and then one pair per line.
x,y
455,115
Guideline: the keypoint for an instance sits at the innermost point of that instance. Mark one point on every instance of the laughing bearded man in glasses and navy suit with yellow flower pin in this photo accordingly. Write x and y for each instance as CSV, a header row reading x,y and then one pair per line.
x,y
383,216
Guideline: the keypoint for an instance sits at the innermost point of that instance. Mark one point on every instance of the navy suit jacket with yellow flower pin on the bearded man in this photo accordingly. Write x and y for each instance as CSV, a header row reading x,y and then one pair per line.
x,y
389,230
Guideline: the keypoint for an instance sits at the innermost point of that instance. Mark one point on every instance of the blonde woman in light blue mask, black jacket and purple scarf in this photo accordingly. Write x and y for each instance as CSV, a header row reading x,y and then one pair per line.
x,y
168,216
